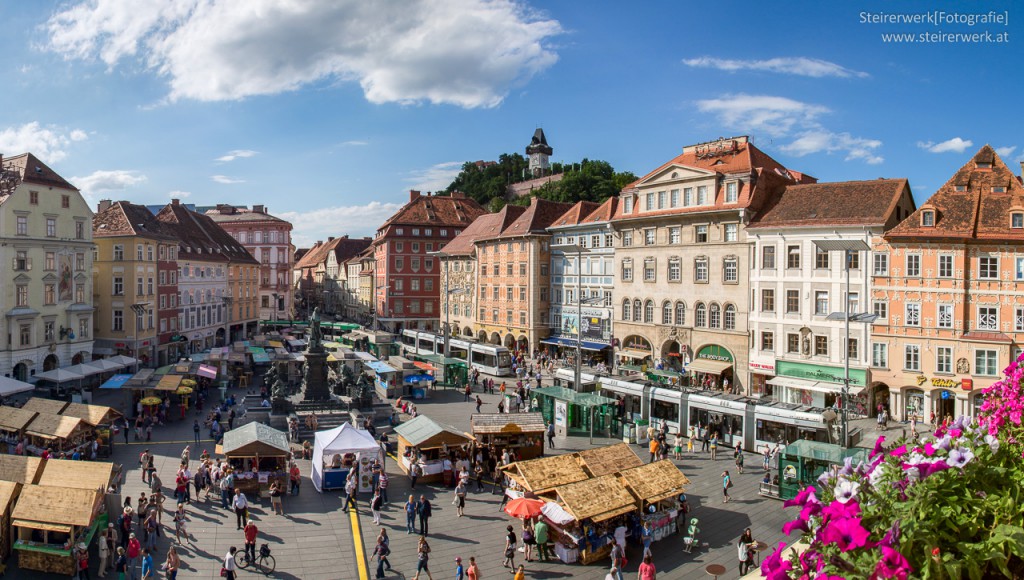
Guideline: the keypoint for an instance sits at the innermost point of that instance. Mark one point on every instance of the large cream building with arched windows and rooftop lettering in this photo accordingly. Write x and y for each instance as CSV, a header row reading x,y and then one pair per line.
x,y
685,259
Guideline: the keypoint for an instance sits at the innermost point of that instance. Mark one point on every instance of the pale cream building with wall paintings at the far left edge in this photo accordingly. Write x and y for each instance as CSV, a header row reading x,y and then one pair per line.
x,y
47,257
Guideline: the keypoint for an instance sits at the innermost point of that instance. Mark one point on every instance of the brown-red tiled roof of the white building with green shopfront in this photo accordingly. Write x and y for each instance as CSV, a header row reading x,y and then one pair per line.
x,y
850,203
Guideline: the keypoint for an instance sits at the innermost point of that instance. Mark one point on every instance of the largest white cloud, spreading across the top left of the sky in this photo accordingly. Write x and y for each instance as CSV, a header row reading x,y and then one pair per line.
x,y
464,53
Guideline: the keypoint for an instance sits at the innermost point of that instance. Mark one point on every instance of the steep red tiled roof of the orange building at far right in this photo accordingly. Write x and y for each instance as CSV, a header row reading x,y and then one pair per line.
x,y
977,213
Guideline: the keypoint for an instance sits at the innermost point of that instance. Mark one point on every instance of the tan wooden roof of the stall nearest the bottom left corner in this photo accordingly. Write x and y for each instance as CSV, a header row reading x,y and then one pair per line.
x,y
58,510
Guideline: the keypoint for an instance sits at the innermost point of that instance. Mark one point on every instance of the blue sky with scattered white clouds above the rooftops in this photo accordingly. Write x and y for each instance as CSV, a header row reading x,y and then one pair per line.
x,y
328,112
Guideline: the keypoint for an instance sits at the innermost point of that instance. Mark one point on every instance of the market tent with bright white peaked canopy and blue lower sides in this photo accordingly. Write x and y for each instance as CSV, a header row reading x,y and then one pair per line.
x,y
338,451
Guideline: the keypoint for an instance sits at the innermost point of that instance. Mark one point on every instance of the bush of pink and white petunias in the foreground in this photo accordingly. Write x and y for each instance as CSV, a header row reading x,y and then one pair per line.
x,y
948,506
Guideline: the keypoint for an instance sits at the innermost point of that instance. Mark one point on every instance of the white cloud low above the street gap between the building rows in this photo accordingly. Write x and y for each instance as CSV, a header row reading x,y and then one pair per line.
x,y
357,221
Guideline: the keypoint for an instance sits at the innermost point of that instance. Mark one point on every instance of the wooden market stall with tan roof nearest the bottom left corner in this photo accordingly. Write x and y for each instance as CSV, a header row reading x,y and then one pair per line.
x,y
49,522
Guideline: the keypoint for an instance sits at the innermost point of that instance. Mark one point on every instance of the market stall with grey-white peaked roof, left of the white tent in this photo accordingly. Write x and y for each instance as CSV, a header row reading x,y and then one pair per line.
x,y
259,455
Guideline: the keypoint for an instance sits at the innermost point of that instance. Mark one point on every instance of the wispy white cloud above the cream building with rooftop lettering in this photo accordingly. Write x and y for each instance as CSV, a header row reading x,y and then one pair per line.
x,y
792,121
